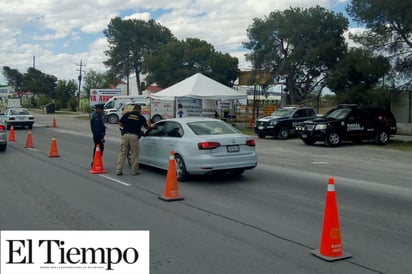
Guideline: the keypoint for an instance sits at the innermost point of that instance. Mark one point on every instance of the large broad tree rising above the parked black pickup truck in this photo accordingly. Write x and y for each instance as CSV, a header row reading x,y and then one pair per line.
x,y
301,46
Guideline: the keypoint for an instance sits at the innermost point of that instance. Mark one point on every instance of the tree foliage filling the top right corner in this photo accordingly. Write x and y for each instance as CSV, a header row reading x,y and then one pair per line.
x,y
389,31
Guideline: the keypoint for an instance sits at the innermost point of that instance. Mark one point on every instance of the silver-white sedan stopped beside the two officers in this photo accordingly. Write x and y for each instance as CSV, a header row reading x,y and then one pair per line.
x,y
201,146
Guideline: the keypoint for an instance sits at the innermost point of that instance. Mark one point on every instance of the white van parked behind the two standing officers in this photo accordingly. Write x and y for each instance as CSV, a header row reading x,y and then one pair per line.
x,y
113,109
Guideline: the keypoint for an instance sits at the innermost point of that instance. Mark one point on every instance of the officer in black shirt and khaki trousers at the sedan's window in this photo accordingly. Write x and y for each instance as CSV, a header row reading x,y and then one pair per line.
x,y
132,123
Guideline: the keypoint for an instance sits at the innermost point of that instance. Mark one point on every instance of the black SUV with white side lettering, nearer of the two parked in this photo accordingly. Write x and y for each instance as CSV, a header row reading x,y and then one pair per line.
x,y
349,123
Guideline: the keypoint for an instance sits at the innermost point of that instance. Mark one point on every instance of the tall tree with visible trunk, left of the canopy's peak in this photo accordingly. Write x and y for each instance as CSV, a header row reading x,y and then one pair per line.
x,y
129,41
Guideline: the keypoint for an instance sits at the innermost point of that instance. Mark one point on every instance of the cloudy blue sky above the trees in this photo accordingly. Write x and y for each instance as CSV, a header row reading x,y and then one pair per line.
x,y
60,33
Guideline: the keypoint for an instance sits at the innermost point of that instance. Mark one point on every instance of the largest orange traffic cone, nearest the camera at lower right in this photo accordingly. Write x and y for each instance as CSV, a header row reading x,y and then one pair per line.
x,y
330,241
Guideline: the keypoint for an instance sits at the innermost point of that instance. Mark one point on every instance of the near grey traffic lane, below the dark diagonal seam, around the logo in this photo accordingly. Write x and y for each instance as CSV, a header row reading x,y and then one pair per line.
x,y
184,239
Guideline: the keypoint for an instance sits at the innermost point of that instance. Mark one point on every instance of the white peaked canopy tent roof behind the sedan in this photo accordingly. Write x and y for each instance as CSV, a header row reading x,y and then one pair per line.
x,y
200,87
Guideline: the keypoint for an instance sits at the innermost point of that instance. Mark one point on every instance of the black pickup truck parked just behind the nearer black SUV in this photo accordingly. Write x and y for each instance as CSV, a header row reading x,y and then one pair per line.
x,y
282,122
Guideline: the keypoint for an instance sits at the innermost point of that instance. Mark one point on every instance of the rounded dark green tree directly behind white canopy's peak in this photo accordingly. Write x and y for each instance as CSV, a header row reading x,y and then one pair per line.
x,y
178,60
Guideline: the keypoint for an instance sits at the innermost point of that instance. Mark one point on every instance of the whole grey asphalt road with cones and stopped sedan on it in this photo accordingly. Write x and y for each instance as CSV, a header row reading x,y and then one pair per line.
x,y
265,221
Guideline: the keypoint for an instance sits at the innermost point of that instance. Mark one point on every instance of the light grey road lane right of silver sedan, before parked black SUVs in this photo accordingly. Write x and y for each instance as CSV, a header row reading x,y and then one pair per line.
x,y
356,161
